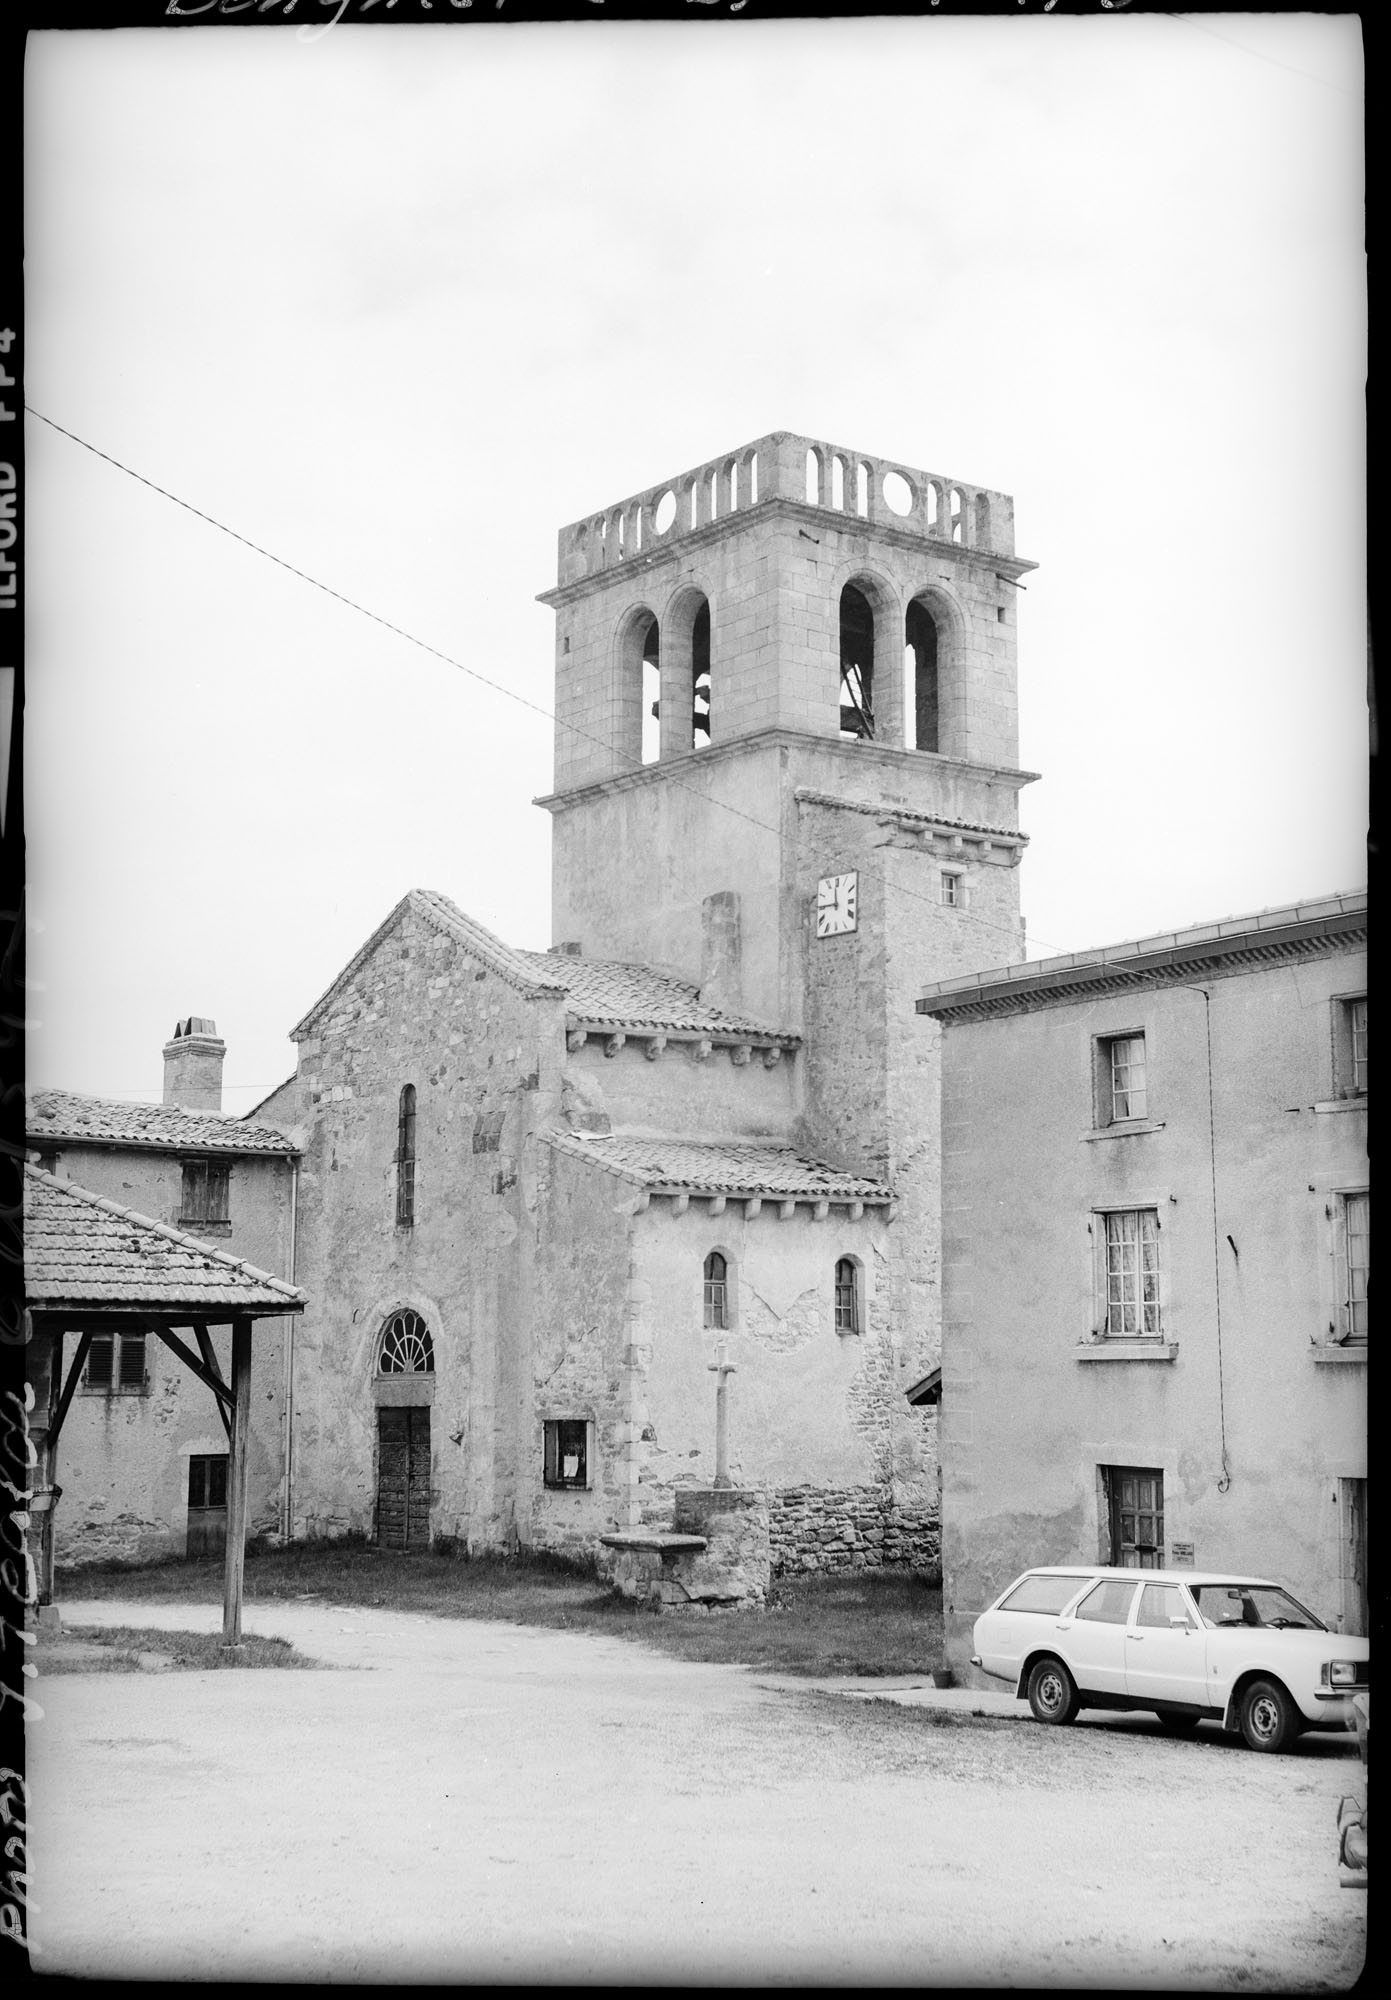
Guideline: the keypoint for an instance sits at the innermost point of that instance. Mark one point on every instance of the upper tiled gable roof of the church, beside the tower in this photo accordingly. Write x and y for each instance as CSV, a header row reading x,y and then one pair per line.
x,y
599,991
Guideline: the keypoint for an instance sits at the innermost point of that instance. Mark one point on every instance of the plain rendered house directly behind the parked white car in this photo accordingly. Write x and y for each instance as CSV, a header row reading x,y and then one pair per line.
x,y
1156,1245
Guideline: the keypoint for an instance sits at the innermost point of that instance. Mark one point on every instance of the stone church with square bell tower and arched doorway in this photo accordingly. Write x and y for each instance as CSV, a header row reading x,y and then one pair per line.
x,y
541,1191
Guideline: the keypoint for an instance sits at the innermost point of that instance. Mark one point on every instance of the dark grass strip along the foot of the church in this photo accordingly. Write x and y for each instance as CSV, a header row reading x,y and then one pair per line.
x,y
864,1623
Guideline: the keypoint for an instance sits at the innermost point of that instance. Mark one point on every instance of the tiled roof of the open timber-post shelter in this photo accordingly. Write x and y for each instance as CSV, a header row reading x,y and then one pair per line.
x,y
85,1251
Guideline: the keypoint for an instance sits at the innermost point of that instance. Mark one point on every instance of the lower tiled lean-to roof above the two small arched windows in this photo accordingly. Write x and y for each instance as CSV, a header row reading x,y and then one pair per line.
x,y
720,1167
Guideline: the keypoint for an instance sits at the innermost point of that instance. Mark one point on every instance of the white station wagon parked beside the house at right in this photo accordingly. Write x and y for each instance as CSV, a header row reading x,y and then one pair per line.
x,y
1180,1643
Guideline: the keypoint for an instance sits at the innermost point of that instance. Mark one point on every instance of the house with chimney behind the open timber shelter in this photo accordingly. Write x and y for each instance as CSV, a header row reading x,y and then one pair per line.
x,y
145,1455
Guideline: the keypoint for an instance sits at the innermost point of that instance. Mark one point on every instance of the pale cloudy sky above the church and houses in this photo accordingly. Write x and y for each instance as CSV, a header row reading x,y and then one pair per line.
x,y
401,303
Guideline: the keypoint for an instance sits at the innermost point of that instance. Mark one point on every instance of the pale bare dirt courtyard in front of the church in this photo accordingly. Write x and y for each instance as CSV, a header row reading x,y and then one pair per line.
x,y
487,1803
